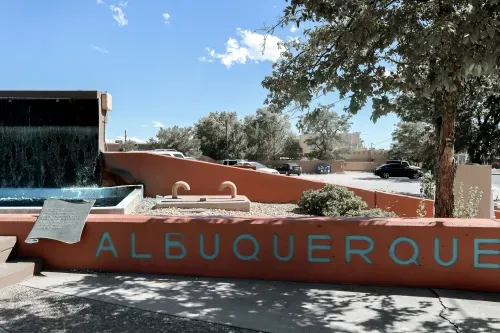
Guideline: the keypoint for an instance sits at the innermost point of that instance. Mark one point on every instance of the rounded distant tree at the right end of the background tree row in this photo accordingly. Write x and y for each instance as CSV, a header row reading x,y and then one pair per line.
x,y
327,131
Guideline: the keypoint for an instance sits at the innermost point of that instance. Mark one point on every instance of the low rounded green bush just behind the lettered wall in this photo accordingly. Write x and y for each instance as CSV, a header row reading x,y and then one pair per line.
x,y
334,200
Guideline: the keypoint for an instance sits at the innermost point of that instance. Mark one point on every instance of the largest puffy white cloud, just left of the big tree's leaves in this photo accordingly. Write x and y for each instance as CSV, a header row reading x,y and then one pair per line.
x,y
248,48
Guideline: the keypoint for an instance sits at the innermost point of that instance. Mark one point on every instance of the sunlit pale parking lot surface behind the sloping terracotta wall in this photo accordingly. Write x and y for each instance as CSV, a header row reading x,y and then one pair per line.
x,y
368,181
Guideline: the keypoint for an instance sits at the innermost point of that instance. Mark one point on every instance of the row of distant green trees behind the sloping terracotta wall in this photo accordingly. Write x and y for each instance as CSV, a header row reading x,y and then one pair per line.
x,y
264,135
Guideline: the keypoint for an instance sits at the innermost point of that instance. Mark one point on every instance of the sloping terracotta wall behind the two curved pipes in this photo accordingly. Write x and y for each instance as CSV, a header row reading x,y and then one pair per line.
x,y
159,173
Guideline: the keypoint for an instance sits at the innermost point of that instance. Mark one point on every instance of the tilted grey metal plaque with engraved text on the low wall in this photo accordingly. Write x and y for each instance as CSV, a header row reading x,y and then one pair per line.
x,y
61,220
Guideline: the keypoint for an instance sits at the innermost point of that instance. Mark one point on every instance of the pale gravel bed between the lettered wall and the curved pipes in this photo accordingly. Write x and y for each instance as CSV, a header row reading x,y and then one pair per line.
x,y
256,209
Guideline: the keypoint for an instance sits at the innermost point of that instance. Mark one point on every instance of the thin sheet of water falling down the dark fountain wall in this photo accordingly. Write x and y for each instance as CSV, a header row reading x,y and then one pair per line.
x,y
49,156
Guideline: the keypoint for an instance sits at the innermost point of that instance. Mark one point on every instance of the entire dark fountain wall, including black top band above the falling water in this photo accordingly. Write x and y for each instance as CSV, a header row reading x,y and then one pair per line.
x,y
49,142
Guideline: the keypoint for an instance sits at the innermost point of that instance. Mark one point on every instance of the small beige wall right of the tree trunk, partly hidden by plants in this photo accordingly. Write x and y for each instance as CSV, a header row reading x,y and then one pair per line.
x,y
476,176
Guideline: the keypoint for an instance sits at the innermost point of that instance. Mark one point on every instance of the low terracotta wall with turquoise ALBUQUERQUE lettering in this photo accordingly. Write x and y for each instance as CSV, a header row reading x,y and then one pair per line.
x,y
141,244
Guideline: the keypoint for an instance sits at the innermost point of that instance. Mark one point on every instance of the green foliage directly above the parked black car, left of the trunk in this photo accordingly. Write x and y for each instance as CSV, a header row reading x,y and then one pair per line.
x,y
414,142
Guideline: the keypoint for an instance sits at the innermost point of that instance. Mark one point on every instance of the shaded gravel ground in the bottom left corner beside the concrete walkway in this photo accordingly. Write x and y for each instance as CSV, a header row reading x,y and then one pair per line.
x,y
27,310
